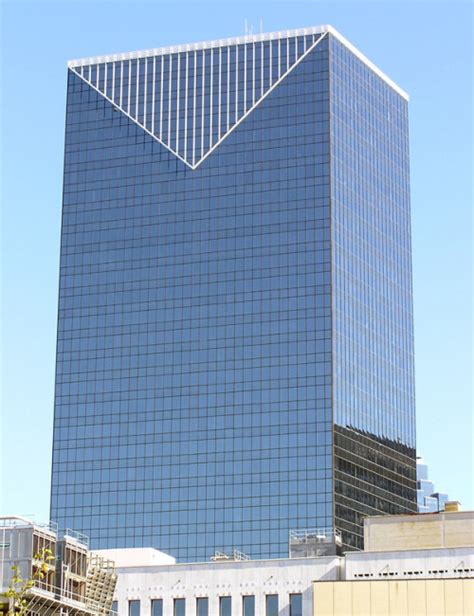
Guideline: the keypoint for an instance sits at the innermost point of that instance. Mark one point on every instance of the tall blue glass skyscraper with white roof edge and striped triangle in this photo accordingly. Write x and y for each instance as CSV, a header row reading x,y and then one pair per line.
x,y
235,345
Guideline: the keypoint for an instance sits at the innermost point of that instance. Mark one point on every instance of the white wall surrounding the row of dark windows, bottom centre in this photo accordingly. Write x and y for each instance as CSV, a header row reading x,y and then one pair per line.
x,y
233,579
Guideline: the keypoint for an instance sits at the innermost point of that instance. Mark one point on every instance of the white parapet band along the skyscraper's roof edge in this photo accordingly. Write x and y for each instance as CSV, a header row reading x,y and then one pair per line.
x,y
240,40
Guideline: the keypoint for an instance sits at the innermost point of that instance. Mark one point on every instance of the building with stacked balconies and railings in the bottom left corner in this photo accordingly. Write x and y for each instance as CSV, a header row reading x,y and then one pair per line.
x,y
66,578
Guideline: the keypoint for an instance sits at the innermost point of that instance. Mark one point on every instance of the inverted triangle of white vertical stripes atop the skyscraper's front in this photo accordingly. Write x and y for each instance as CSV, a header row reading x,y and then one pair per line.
x,y
191,119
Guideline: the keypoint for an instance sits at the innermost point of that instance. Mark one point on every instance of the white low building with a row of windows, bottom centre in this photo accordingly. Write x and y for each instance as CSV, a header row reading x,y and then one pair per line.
x,y
290,579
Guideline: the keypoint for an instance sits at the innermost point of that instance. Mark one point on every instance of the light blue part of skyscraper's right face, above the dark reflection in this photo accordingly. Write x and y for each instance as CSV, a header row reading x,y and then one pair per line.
x,y
372,302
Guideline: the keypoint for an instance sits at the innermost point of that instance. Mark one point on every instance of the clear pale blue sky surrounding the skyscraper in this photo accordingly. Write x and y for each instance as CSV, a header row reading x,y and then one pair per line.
x,y
426,47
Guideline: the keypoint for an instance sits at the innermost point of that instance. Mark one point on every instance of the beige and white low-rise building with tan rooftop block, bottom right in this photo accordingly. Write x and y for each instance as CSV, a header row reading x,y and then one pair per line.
x,y
415,565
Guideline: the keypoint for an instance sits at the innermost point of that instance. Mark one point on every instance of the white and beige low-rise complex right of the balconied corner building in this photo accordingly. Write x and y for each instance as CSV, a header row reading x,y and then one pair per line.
x,y
400,567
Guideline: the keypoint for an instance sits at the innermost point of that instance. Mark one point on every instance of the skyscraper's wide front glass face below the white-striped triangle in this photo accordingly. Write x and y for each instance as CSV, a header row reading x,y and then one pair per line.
x,y
193,400
